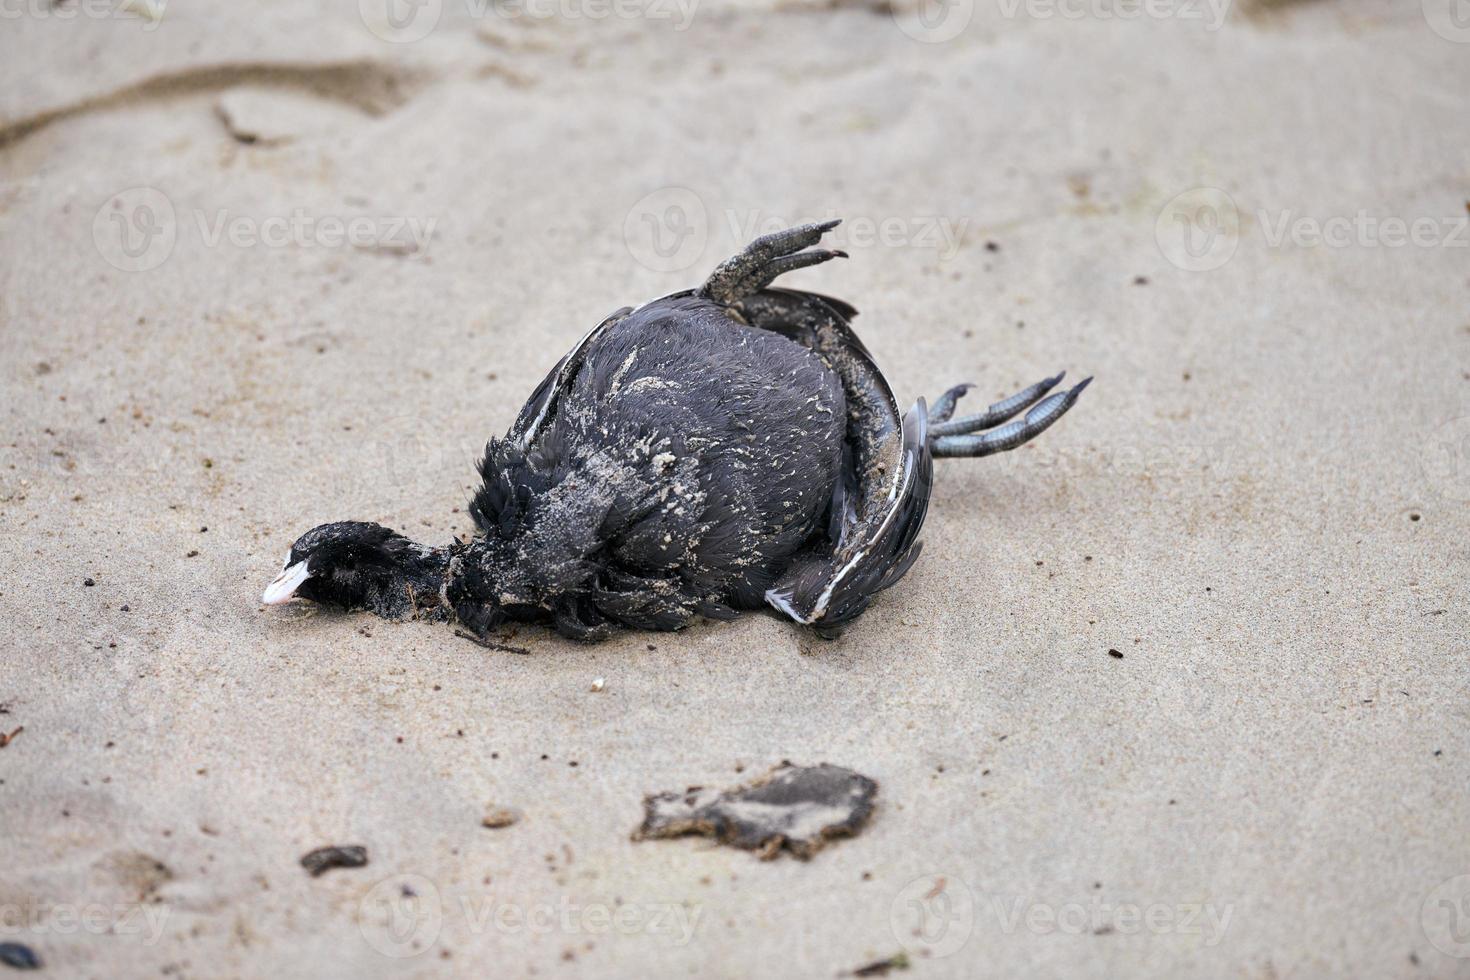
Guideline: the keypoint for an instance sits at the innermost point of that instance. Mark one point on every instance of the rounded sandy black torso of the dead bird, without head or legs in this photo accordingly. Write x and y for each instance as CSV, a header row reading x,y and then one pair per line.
x,y
678,472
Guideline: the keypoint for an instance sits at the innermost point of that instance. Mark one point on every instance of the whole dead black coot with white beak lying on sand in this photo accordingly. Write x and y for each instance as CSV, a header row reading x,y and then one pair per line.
x,y
718,450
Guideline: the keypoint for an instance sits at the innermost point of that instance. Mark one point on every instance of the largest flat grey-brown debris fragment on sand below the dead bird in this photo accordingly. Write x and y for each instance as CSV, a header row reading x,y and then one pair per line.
x,y
795,807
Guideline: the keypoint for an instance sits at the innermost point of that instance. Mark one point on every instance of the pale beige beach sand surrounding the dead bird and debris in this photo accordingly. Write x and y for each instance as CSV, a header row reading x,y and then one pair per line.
x,y
1261,505
